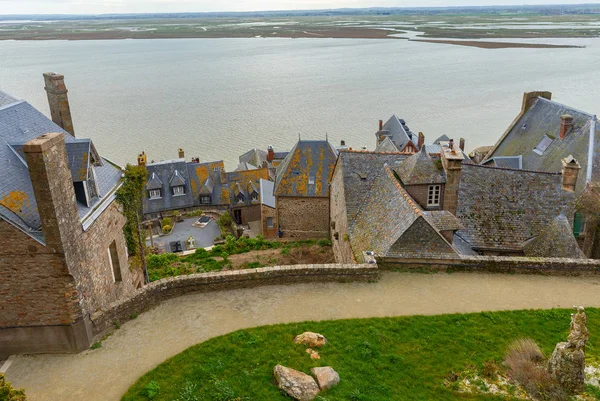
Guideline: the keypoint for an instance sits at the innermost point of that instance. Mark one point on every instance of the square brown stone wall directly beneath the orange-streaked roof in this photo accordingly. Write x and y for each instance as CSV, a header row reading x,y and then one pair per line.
x,y
303,217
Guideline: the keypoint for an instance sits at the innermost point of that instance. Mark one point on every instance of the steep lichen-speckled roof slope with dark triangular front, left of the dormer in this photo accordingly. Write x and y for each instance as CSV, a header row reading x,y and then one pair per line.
x,y
391,224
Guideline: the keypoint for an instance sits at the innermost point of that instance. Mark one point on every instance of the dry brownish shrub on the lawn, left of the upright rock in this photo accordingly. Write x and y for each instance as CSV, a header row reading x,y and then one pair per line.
x,y
526,366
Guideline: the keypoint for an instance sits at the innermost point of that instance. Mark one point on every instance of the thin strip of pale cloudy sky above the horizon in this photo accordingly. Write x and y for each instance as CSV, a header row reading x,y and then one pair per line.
x,y
143,6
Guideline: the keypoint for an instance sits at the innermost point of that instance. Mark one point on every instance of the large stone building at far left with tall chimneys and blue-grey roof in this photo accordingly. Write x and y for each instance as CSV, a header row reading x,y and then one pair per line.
x,y
63,255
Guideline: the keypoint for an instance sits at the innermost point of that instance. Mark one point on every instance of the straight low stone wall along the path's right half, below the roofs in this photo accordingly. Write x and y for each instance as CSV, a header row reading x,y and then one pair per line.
x,y
496,264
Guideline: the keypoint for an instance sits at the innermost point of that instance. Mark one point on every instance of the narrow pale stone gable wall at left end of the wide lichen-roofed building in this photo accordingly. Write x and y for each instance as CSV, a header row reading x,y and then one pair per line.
x,y
339,219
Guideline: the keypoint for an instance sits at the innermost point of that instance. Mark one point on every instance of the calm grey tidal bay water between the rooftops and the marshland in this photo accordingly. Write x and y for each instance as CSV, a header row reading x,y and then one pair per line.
x,y
217,98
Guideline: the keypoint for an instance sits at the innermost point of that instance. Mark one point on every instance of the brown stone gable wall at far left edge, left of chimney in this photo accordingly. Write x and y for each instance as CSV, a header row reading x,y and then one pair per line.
x,y
35,286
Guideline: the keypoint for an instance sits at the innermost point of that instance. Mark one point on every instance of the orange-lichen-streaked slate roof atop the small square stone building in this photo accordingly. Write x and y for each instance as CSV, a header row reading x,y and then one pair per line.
x,y
307,161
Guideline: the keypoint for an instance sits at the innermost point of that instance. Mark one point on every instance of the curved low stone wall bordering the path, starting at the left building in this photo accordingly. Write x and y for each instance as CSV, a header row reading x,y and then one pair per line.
x,y
161,290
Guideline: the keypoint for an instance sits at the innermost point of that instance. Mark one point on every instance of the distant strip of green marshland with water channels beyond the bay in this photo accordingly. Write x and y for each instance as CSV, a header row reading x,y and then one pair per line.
x,y
452,26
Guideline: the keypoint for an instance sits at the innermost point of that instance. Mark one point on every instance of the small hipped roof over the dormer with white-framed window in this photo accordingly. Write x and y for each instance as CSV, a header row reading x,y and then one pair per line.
x,y
420,169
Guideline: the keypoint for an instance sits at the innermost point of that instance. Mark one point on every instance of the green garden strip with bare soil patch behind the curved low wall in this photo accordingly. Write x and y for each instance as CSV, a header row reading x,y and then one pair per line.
x,y
243,253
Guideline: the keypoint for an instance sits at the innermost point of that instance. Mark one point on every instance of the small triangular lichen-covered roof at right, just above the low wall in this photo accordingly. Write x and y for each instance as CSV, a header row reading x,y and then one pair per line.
x,y
555,241
